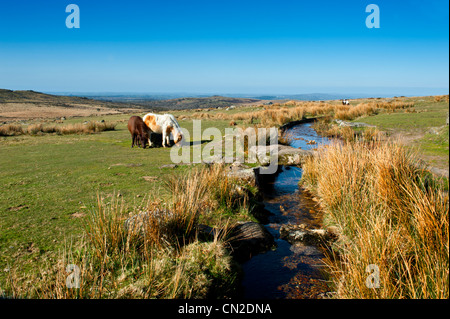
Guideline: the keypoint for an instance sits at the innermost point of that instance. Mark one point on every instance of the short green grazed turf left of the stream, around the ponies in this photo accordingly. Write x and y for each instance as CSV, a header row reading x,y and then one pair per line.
x,y
50,182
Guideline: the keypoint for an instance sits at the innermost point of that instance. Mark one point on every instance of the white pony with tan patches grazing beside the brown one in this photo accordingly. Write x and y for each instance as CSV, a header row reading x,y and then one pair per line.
x,y
164,124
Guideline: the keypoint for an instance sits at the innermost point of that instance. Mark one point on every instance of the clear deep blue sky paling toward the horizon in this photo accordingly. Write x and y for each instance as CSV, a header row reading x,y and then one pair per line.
x,y
232,46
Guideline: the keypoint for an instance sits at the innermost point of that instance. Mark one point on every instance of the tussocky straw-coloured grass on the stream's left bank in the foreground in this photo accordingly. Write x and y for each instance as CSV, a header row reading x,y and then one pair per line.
x,y
159,256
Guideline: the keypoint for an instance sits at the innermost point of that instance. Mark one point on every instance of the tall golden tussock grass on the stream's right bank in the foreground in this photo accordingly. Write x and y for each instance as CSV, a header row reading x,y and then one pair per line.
x,y
391,213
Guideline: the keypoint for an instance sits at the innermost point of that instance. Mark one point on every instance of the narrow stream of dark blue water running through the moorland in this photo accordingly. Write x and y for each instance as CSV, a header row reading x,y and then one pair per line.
x,y
289,271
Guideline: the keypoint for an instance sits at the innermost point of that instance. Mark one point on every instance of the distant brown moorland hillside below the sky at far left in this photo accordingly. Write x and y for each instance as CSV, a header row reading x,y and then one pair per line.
x,y
26,105
